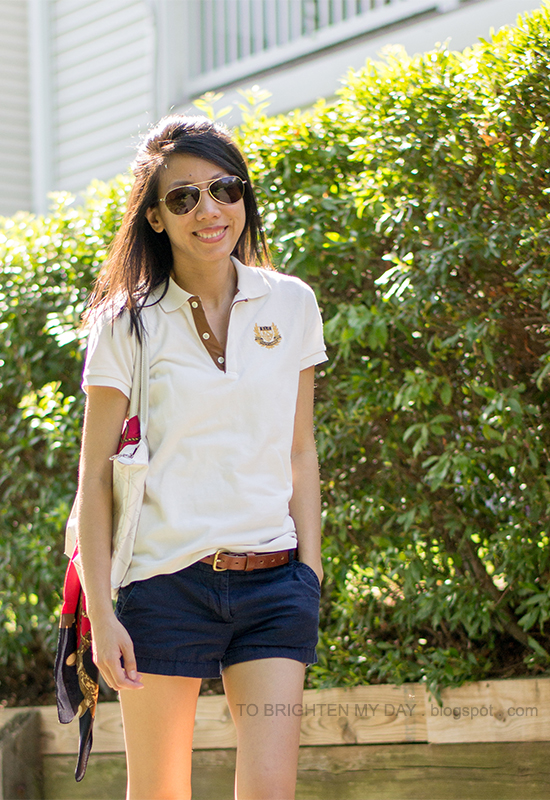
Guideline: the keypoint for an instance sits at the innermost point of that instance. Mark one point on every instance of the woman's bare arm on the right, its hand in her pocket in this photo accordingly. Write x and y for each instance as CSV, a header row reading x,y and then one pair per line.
x,y
305,503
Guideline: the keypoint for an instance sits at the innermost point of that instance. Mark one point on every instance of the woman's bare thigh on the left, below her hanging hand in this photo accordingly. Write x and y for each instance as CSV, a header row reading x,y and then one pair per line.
x,y
158,731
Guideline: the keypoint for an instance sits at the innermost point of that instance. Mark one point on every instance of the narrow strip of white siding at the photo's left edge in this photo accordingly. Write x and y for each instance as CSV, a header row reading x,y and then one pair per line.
x,y
15,151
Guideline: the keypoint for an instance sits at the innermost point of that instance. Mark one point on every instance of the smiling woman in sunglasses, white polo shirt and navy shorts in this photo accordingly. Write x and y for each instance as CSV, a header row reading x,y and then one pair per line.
x,y
233,468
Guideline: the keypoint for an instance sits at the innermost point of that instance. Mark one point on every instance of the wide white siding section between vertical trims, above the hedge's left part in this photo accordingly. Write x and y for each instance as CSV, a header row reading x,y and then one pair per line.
x,y
102,56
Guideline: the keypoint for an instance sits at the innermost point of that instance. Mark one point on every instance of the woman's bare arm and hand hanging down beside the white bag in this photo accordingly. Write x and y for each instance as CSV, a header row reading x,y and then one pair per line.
x,y
106,410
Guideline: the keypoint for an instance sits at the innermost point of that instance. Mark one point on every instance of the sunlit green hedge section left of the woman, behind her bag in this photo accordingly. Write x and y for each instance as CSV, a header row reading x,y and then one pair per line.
x,y
48,267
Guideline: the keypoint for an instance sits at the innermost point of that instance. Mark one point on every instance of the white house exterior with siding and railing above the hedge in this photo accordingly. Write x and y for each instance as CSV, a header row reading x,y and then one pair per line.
x,y
94,74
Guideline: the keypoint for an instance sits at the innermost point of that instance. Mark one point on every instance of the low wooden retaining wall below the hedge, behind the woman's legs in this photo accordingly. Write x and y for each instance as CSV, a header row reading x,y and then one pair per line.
x,y
496,712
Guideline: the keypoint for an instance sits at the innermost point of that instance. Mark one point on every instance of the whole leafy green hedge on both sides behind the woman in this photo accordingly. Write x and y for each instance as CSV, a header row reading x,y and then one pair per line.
x,y
418,206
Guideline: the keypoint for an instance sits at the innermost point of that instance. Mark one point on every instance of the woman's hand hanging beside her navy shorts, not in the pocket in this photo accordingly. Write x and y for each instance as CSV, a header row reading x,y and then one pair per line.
x,y
111,642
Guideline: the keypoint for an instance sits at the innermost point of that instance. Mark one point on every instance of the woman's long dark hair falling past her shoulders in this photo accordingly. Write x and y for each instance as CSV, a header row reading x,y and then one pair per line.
x,y
139,259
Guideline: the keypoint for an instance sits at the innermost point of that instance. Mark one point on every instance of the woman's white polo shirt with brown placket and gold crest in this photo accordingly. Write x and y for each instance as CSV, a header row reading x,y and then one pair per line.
x,y
220,423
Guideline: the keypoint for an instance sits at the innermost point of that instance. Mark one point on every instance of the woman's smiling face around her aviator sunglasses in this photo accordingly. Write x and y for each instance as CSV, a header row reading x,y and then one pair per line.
x,y
207,235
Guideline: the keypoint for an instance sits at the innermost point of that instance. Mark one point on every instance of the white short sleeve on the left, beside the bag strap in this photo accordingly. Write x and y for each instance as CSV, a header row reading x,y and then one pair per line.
x,y
110,354
